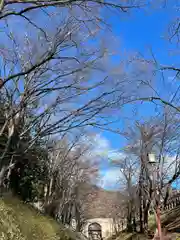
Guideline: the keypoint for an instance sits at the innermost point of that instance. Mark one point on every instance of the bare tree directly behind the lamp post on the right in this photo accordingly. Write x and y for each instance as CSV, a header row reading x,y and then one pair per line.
x,y
159,136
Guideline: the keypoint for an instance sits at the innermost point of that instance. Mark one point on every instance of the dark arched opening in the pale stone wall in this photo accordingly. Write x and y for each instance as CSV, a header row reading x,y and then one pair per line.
x,y
95,231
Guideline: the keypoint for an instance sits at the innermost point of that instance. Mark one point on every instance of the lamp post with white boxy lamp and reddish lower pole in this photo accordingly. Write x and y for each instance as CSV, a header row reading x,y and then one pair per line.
x,y
154,178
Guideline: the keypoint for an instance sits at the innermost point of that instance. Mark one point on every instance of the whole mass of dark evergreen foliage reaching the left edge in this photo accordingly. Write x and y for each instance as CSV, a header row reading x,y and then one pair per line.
x,y
26,178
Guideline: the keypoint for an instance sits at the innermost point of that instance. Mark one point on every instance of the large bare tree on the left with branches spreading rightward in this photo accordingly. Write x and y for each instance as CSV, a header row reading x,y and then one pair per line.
x,y
43,95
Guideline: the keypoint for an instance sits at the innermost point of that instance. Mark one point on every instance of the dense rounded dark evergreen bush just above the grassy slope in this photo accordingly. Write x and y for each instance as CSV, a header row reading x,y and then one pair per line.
x,y
28,176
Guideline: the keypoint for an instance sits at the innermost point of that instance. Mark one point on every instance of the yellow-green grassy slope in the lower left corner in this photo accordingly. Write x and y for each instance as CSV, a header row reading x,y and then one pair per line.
x,y
20,221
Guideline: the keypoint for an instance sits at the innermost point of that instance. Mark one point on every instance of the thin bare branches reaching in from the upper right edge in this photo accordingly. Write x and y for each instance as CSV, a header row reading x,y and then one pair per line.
x,y
151,72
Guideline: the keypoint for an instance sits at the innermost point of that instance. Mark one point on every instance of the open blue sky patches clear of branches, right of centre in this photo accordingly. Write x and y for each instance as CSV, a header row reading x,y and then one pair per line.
x,y
139,31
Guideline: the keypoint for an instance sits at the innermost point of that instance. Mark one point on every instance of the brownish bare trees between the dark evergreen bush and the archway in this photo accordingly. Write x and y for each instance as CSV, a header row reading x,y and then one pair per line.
x,y
69,168
